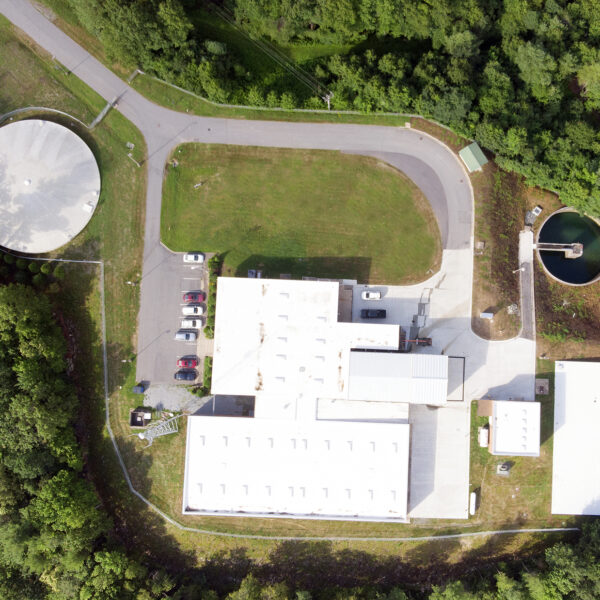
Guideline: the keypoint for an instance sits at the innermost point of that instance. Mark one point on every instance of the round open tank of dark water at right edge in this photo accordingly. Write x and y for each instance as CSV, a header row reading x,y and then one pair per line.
x,y
568,227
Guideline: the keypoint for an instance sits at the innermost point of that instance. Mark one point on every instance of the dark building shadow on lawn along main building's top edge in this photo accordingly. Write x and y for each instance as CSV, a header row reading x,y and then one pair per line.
x,y
330,267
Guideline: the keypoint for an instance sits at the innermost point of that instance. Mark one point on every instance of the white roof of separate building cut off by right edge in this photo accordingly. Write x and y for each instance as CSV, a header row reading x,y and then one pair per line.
x,y
576,470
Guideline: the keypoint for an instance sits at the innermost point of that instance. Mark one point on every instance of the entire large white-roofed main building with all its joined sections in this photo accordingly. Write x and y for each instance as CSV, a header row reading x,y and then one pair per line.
x,y
330,437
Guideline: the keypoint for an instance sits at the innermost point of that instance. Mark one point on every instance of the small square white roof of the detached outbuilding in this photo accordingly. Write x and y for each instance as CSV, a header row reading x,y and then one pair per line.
x,y
515,428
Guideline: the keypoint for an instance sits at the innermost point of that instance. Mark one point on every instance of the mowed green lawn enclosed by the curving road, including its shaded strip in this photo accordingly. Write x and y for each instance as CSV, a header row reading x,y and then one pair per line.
x,y
314,213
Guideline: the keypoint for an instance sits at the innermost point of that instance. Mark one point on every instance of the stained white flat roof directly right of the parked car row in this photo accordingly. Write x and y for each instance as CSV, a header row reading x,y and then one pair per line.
x,y
282,338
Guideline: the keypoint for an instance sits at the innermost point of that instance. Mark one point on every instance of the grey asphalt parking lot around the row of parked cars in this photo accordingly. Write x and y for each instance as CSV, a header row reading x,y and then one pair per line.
x,y
158,351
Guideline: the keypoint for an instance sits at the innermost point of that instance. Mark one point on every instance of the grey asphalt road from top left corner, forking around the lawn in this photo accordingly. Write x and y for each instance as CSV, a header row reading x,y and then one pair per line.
x,y
434,168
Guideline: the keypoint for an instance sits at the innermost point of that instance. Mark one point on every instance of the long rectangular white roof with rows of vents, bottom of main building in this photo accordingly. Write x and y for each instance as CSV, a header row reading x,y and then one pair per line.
x,y
321,469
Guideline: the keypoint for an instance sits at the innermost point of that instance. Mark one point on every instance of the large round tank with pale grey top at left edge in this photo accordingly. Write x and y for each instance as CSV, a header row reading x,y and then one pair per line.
x,y
49,186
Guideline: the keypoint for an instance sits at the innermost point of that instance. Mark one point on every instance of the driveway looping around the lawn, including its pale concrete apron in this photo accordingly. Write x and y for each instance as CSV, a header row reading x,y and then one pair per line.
x,y
504,368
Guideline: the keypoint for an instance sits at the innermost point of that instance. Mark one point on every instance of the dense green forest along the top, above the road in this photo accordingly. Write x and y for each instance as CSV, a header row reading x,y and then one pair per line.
x,y
522,77
